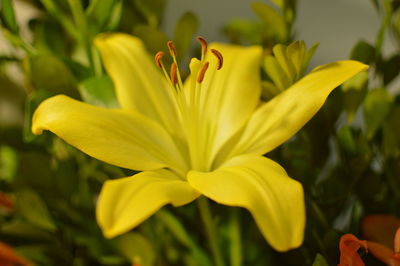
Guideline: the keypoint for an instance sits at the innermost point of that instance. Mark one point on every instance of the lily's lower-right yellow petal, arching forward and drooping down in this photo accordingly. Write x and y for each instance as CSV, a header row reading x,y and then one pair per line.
x,y
263,187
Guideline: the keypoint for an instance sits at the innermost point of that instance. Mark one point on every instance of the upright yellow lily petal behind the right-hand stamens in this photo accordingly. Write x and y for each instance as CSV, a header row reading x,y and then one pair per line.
x,y
231,94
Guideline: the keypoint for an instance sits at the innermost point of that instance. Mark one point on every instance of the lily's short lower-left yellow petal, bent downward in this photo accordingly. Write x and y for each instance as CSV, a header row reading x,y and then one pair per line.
x,y
125,203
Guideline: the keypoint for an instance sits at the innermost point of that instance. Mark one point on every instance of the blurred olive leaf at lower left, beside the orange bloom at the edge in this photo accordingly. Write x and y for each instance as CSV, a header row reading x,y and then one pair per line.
x,y
34,210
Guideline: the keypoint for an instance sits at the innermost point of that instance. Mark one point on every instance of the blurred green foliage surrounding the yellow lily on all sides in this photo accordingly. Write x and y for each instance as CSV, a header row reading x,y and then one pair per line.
x,y
347,158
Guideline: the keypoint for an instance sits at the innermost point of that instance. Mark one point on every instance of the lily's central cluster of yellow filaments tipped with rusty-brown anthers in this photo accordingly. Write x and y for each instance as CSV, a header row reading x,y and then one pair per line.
x,y
191,99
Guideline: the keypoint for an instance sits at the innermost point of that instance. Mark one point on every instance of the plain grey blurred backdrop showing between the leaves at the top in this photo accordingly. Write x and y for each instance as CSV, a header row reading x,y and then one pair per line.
x,y
336,25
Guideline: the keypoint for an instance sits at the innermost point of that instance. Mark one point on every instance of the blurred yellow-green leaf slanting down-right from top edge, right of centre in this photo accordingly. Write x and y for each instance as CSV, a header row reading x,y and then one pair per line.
x,y
273,19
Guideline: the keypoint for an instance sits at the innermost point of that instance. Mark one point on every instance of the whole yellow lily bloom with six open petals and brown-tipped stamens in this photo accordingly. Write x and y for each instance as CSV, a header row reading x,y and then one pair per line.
x,y
204,136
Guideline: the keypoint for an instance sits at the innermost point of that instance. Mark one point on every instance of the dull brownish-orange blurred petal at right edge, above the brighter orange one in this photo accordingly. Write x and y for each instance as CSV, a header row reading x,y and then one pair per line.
x,y
380,229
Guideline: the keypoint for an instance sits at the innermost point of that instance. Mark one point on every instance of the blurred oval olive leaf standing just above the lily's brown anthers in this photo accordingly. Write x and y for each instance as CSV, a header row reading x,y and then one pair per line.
x,y
185,28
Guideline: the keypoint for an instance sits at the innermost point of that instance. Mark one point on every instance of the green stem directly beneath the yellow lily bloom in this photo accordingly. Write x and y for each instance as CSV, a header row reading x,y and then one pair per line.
x,y
211,230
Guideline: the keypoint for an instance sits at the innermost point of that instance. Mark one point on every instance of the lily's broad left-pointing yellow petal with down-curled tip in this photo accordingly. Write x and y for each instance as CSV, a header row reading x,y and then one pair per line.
x,y
118,137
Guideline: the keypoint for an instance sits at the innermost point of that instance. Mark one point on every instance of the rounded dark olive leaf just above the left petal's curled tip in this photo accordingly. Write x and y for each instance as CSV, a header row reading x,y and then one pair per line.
x,y
49,73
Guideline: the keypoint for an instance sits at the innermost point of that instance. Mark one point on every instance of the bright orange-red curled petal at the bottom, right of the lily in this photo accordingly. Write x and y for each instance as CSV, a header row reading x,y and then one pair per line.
x,y
349,245
